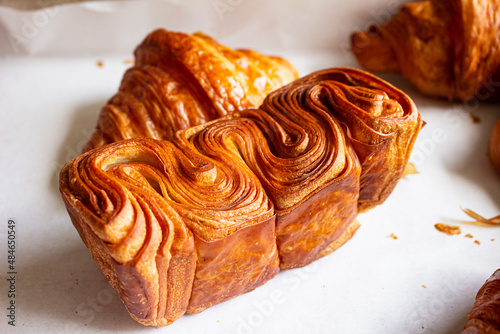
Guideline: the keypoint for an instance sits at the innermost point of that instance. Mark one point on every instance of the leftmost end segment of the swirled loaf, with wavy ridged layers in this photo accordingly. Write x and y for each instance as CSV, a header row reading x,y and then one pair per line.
x,y
144,250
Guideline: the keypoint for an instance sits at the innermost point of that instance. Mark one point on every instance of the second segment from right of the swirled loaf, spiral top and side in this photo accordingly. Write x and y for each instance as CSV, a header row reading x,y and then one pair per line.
x,y
314,187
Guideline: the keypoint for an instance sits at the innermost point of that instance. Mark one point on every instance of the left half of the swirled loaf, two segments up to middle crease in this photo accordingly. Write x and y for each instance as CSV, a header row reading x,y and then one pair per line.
x,y
172,231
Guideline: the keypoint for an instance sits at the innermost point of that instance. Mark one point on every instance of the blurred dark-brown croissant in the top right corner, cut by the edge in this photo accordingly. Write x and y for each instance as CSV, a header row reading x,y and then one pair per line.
x,y
446,48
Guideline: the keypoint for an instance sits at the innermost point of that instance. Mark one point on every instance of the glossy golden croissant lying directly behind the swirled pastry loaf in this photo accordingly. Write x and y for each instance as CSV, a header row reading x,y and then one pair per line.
x,y
181,80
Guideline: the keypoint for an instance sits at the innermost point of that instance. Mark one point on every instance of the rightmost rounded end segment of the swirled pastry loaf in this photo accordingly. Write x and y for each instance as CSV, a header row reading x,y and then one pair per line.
x,y
381,122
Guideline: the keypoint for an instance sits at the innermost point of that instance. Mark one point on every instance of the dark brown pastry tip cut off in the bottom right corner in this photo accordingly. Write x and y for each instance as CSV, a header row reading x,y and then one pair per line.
x,y
484,318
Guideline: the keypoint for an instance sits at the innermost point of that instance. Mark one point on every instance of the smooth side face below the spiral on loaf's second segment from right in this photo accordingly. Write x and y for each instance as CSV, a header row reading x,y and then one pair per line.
x,y
321,224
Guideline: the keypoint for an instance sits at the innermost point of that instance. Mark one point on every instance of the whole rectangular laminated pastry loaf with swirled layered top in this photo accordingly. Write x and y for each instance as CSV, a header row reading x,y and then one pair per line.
x,y
178,226
